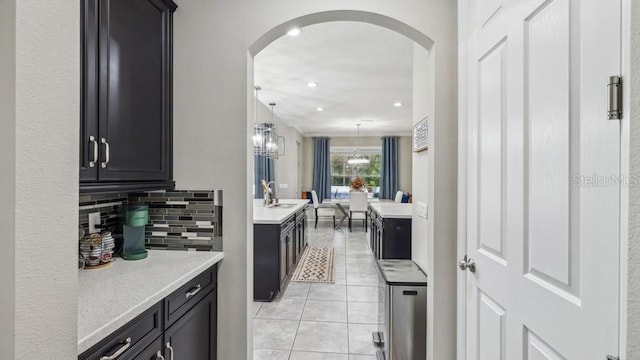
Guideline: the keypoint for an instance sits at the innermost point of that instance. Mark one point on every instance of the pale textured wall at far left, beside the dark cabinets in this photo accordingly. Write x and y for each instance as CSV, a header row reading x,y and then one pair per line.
x,y
39,220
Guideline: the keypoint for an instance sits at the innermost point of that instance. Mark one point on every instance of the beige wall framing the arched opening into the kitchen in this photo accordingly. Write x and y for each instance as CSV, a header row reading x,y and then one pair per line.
x,y
212,86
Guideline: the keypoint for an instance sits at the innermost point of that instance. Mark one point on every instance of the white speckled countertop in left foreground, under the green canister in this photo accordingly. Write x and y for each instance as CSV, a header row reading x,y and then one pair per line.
x,y
109,298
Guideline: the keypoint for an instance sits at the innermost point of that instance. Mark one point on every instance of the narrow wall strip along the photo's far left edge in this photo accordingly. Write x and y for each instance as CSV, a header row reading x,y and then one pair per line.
x,y
7,176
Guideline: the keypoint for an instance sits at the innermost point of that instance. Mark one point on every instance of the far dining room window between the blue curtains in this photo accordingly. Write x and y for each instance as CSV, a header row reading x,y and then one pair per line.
x,y
342,172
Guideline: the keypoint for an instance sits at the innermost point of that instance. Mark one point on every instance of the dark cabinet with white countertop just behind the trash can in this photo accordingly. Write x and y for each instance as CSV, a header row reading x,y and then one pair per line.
x,y
391,230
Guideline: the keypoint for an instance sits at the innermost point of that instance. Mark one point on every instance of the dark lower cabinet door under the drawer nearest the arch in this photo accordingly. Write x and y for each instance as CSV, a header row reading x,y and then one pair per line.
x,y
193,337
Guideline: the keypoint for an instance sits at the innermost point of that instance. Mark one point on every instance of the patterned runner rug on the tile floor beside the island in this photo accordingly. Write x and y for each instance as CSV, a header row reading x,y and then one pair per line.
x,y
316,265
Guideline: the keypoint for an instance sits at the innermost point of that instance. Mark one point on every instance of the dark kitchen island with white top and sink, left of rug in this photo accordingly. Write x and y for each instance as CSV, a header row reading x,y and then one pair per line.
x,y
279,238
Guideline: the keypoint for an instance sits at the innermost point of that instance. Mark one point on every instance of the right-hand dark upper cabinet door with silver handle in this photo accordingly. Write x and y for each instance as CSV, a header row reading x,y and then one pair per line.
x,y
134,90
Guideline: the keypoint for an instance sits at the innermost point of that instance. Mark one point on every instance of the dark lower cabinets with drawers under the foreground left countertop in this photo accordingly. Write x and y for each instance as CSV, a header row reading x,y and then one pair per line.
x,y
181,326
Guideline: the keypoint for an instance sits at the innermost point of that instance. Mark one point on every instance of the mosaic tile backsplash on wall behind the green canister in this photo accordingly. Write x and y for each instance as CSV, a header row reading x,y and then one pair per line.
x,y
183,219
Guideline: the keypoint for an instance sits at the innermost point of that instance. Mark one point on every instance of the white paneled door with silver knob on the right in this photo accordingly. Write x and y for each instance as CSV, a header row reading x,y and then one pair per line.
x,y
542,179
